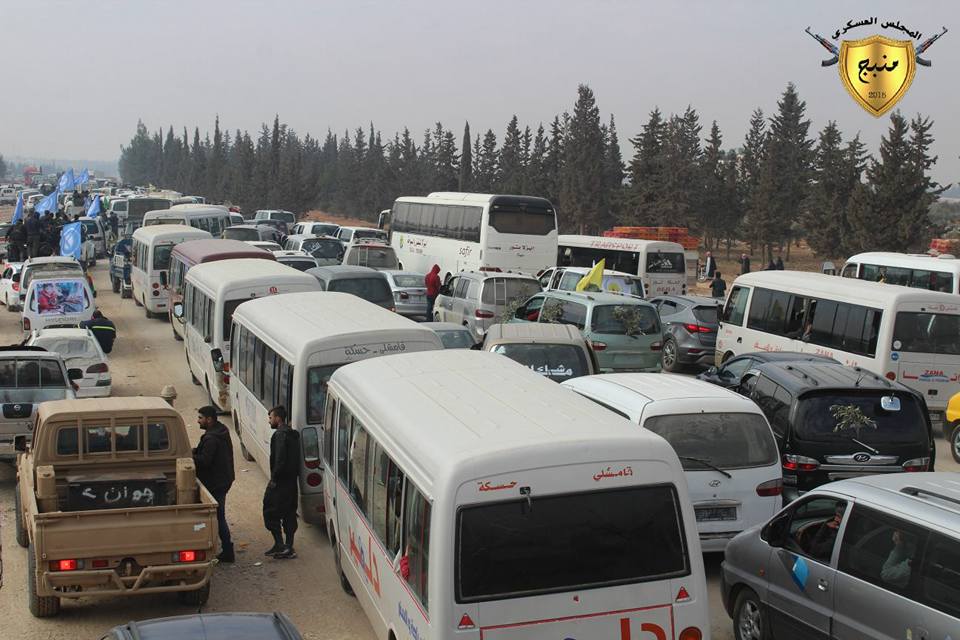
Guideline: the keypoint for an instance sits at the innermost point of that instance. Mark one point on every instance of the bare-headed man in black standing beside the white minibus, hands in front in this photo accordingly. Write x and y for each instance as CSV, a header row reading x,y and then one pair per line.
x,y
280,498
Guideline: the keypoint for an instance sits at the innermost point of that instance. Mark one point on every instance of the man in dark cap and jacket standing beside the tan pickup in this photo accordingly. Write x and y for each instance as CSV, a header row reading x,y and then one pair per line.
x,y
213,458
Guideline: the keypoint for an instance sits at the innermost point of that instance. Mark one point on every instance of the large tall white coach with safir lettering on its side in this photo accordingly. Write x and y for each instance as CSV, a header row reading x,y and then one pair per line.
x,y
473,231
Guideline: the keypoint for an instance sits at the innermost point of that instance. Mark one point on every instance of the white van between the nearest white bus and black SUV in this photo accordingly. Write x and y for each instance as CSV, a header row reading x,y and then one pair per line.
x,y
724,442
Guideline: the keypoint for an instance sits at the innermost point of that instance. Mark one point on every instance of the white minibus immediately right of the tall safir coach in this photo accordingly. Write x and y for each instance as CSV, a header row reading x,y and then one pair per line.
x,y
661,265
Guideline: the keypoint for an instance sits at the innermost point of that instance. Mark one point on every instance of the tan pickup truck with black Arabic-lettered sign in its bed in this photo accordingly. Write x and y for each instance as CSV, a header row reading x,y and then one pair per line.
x,y
107,503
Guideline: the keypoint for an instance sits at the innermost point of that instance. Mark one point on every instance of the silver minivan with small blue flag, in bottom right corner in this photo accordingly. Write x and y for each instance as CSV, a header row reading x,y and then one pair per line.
x,y
872,557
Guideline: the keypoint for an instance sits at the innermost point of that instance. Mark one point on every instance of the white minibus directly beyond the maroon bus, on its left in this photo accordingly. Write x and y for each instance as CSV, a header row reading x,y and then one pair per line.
x,y
150,256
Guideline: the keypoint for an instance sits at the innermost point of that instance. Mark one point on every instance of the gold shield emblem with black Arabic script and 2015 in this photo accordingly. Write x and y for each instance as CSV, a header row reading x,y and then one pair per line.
x,y
877,71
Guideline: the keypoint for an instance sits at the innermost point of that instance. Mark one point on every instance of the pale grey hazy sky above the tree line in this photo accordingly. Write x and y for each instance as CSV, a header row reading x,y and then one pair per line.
x,y
84,72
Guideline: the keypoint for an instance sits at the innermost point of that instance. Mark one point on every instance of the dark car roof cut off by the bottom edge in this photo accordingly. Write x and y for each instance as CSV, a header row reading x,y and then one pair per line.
x,y
210,626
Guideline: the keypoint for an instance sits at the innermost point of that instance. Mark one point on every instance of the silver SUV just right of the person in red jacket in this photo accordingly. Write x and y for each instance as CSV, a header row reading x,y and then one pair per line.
x,y
478,299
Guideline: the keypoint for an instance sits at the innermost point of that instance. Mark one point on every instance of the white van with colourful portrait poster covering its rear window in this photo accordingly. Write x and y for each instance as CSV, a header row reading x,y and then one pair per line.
x,y
57,301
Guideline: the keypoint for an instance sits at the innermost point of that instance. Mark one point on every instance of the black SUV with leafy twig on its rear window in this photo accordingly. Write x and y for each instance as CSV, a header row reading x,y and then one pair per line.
x,y
833,422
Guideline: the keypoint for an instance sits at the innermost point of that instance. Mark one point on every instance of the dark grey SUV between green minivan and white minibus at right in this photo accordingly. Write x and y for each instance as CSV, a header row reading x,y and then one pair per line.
x,y
689,330
